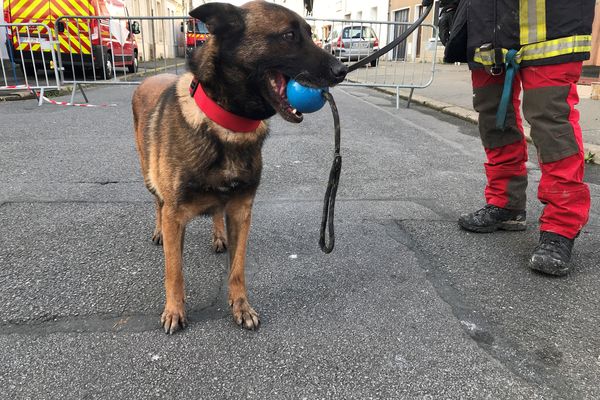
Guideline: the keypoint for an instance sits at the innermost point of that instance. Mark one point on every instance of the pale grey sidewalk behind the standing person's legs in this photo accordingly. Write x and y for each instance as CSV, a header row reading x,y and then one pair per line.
x,y
451,93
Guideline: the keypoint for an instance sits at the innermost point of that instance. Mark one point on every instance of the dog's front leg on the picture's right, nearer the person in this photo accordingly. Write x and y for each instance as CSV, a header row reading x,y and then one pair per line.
x,y
239,214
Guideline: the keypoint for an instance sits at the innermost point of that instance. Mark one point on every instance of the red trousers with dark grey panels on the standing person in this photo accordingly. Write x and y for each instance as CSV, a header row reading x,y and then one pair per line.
x,y
549,99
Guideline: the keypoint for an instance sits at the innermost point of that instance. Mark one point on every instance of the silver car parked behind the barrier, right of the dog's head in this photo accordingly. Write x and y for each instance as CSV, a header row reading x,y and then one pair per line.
x,y
352,43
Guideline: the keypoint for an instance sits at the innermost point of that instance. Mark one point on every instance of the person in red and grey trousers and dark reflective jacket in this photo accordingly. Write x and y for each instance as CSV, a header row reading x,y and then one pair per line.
x,y
534,46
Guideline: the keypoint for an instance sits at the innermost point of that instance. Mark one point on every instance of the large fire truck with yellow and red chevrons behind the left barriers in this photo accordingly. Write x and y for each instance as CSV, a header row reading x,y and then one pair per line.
x,y
88,42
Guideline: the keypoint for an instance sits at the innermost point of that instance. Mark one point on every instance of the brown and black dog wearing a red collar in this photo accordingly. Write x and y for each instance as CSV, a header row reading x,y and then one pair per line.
x,y
206,160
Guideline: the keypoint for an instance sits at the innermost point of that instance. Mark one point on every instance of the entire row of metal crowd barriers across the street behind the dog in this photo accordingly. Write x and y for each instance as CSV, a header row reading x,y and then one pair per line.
x,y
109,50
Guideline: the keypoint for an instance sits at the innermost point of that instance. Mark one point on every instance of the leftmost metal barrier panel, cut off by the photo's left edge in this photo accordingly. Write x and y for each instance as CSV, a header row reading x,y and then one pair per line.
x,y
31,58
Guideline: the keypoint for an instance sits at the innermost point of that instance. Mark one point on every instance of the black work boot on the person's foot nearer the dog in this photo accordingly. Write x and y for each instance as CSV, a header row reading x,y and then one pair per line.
x,y
491,218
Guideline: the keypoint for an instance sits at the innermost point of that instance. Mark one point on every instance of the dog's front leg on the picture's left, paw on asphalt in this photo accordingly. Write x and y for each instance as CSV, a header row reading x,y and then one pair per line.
x,y
173,231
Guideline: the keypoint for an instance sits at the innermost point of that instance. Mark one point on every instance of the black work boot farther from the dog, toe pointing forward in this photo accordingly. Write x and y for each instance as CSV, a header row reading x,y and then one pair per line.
x,y
552,254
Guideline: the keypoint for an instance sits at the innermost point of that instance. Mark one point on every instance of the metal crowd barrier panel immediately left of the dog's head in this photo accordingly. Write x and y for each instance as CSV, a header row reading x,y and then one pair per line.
x,y
110,50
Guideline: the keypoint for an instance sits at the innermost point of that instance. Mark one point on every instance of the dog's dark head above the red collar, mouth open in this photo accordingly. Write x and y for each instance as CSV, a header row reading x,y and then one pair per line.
x,y
253,51
